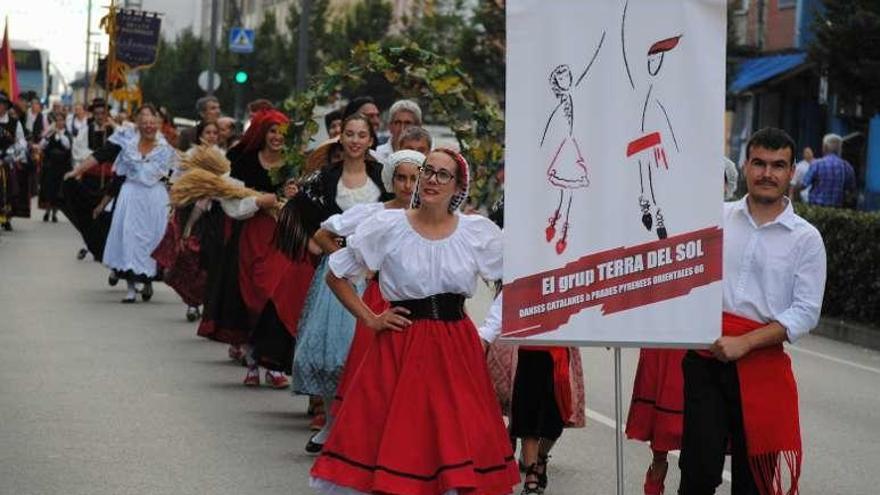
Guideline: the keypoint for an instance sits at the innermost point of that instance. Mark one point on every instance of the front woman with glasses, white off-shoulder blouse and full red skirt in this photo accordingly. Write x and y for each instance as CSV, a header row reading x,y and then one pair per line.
x,y
420,415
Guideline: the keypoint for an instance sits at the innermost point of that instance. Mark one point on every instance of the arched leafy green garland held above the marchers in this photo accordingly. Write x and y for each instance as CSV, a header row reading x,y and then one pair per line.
x,y
474,117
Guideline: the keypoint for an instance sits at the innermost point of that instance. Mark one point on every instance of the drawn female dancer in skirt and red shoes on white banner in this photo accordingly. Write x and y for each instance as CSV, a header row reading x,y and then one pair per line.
x,y
564,171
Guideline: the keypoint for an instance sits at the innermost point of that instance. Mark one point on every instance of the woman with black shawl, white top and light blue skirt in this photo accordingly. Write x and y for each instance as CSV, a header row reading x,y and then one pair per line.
x,y
325,329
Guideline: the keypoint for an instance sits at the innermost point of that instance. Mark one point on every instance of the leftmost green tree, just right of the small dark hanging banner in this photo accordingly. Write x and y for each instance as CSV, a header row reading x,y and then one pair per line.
x,y
173,81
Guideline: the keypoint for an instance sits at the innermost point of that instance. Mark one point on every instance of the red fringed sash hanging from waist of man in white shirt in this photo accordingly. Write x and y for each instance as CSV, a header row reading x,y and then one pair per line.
x,y
770,411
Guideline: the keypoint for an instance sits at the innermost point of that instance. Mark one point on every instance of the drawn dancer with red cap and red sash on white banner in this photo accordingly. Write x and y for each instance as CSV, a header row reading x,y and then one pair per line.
x,y
648,147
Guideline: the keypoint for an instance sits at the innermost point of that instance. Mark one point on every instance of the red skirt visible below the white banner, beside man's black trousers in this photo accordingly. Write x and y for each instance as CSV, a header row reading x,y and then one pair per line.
x,y
657,408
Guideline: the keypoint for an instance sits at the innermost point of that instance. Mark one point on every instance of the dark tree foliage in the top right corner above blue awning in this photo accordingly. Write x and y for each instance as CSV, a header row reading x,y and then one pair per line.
x,y
847,45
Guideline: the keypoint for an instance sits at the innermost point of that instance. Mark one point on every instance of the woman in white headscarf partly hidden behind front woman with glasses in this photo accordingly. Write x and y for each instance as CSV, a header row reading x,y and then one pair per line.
x,y
399,175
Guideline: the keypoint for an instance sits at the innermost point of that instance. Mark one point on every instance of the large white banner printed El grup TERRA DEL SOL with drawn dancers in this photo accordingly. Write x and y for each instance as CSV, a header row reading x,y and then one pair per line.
x,y
614,171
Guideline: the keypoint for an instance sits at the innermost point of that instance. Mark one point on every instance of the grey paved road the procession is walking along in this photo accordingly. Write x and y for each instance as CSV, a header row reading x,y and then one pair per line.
x,y
100,398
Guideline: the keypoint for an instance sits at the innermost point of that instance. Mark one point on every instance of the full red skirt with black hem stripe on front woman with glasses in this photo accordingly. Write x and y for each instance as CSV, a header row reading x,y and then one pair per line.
x,y
420,418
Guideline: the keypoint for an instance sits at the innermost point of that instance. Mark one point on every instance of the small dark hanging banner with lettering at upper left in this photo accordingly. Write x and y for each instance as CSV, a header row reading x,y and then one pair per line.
x,y
137,38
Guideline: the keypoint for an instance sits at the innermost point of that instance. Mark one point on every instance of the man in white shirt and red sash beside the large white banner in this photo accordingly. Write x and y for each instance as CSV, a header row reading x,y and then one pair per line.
x,y
741,394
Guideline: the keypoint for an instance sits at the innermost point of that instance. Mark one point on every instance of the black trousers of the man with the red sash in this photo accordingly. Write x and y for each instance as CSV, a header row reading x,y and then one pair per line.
x,y
713,422
